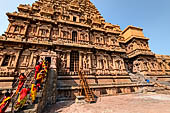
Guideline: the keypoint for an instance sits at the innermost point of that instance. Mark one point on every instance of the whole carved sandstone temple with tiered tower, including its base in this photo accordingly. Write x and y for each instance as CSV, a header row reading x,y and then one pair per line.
x,y
75,37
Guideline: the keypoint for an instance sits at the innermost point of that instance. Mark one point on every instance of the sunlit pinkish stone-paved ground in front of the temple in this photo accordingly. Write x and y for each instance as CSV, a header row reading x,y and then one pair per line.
x,y
132,103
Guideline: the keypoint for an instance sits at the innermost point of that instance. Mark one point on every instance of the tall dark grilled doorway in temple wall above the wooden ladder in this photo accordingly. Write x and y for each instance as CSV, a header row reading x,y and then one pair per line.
x,y
74,61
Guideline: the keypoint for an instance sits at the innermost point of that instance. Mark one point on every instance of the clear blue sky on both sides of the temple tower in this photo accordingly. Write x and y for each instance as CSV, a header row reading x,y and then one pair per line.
x,y
152,15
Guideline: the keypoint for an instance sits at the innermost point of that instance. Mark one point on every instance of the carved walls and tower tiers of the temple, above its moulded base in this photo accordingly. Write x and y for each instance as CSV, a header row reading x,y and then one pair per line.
x,y
64,26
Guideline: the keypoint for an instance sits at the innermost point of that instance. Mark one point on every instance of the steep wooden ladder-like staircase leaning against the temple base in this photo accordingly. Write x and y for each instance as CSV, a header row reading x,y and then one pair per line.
x,y
89,97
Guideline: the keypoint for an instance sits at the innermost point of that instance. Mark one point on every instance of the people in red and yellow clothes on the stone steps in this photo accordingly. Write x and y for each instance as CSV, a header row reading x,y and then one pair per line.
x,y
23,90
